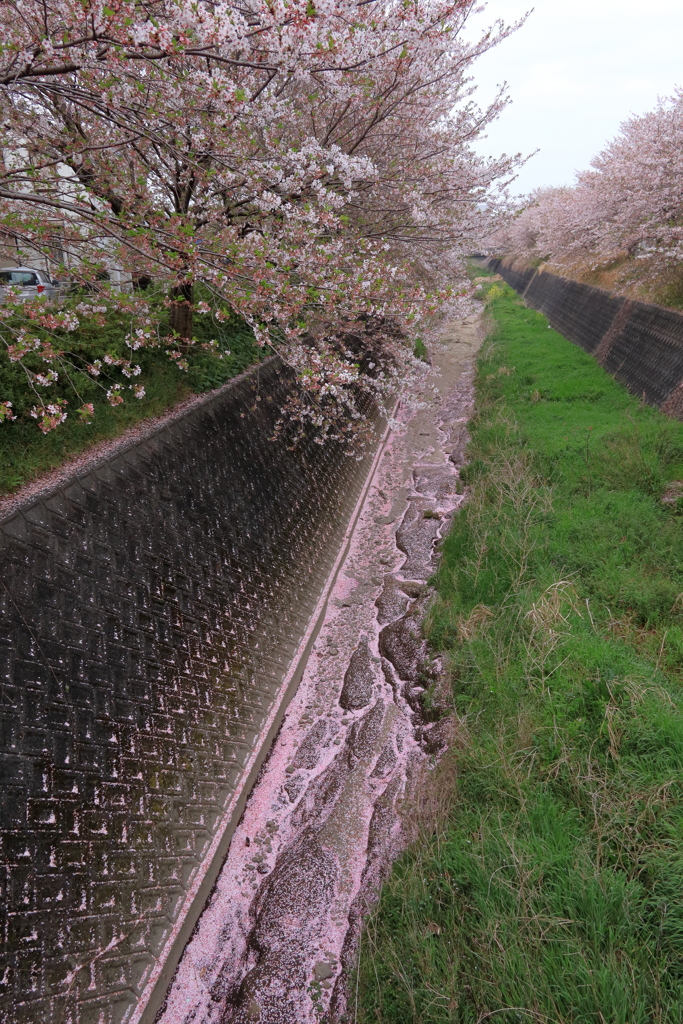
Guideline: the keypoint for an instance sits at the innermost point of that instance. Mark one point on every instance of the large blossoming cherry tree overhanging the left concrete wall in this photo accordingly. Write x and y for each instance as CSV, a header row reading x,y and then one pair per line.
x,y
308,164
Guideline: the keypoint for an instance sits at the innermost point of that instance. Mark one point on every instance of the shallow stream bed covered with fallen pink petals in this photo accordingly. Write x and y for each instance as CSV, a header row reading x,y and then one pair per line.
x,y
322,826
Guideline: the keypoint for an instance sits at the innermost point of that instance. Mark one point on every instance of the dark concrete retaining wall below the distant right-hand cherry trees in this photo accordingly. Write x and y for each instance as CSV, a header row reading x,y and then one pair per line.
x,y
641,345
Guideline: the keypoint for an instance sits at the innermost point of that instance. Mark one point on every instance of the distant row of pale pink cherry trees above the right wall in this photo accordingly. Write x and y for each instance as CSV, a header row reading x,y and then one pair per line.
x,y
624,216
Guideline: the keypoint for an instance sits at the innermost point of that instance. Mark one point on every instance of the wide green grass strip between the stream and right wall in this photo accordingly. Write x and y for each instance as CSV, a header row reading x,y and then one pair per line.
x,y
546,881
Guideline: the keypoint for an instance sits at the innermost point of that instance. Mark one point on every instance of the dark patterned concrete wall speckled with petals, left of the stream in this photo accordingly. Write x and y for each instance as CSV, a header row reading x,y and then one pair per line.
x,y
149,612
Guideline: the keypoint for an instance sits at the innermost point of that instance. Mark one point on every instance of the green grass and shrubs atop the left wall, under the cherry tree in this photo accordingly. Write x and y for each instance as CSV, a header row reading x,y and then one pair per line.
x,y
26,453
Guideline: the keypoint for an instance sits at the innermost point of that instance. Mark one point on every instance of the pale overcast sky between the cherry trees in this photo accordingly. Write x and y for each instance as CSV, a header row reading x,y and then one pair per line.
x,y
576,71
